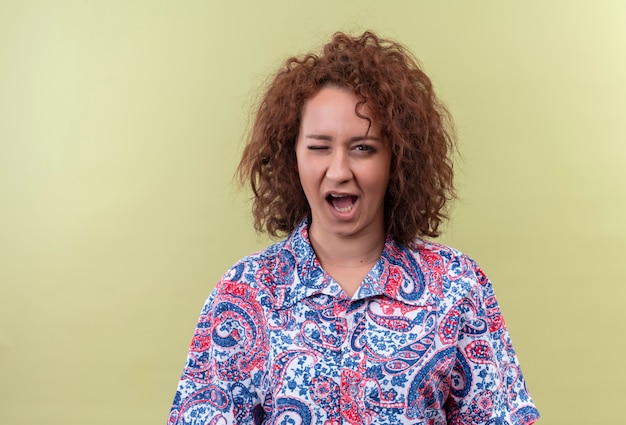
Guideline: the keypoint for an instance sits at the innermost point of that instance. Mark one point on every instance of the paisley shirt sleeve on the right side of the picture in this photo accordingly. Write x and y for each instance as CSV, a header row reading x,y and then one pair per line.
x,y
487,383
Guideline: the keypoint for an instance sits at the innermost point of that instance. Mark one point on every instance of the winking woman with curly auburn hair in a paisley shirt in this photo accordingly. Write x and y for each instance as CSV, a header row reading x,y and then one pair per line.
x,y
353,318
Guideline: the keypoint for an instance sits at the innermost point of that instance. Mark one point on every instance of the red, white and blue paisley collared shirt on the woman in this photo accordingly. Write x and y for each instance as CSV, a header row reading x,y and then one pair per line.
x,y
422,341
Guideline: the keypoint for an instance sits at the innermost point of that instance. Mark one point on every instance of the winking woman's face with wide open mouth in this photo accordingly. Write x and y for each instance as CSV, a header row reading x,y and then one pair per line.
x,y
343,164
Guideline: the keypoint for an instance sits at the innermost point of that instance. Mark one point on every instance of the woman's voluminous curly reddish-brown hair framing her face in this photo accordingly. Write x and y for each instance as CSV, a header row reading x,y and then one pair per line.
x,y
401,100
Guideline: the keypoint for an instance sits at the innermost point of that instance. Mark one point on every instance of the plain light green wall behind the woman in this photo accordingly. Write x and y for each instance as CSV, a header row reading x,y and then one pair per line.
x,y
121,123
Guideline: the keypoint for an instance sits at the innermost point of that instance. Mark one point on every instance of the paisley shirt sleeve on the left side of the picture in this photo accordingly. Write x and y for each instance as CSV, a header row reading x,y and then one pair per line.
x,y
225,361
